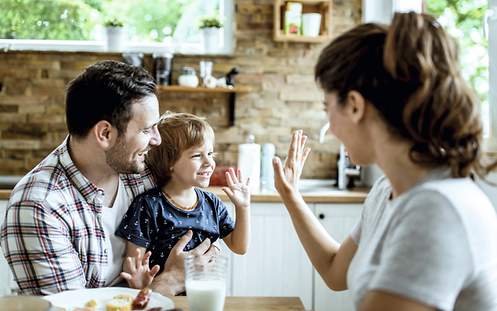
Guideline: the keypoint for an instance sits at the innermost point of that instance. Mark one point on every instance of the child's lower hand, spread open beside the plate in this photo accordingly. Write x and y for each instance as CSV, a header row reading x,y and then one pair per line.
x,y
137,271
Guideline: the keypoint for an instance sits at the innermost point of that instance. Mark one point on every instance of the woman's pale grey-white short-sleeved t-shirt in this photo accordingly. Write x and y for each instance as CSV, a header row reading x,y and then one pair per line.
x,y
436,244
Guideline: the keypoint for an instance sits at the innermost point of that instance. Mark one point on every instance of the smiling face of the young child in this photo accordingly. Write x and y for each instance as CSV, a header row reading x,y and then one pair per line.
x,y
195,166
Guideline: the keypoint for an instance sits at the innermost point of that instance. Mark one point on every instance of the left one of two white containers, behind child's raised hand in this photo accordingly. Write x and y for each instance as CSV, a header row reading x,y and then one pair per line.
x,y
249,162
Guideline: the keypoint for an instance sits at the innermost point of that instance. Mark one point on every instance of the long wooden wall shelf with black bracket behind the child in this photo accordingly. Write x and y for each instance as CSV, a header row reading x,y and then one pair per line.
x,y
218,90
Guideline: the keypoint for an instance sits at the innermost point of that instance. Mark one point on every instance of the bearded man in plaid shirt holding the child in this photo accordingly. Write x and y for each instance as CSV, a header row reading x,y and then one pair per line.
x,y
58,233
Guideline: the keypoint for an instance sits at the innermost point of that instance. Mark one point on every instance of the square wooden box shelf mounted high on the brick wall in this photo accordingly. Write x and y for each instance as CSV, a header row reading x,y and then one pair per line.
x,y
308,6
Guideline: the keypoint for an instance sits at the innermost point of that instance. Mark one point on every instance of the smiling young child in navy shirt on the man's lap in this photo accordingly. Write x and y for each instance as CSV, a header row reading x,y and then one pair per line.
x,y
158,218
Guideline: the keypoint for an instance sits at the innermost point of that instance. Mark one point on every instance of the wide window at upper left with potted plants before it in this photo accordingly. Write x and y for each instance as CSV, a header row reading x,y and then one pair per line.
x,y
77,25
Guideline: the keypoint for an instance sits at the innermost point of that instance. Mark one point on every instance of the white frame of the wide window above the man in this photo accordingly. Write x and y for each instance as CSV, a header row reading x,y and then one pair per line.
x,y
99,46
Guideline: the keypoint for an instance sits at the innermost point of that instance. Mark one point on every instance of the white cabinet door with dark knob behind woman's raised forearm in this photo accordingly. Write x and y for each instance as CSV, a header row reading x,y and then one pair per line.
x,y
338,219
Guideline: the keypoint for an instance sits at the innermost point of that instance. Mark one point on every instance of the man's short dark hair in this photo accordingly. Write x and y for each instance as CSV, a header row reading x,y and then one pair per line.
x,y
105,91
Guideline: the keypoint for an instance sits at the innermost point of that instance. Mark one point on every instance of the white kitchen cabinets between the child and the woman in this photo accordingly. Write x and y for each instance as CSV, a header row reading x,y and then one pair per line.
x,y
276,263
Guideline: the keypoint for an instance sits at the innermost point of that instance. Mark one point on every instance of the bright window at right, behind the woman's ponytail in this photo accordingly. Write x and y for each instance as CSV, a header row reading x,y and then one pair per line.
x,y
473,23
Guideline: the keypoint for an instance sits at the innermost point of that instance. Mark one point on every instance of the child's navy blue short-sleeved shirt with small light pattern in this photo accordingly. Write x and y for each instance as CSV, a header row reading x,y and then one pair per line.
x,y
156,224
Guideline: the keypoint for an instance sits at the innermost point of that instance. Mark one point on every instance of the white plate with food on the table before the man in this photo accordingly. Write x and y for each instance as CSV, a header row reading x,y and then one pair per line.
x,y
79,297
